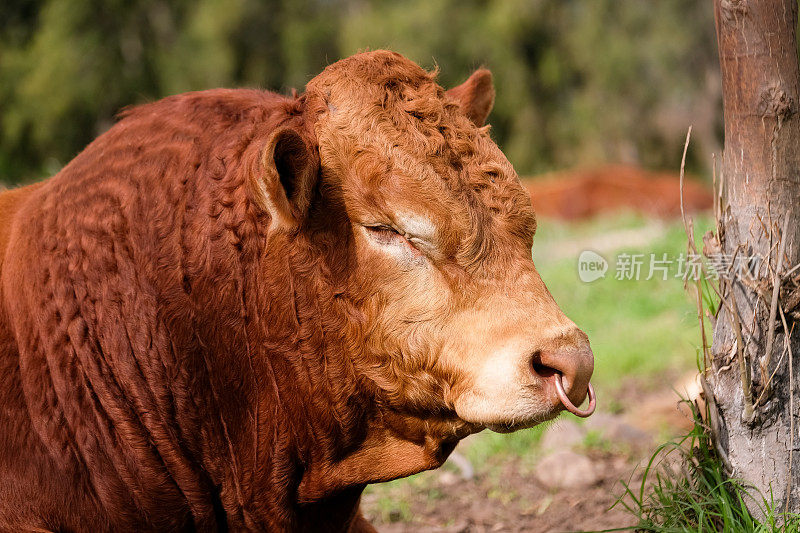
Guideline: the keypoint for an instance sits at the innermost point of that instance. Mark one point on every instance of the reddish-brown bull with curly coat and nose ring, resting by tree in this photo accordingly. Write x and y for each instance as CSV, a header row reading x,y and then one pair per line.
x,y
234,310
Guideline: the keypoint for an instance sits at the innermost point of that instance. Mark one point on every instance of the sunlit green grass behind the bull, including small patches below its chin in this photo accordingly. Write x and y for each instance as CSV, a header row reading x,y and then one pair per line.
x,y
641,331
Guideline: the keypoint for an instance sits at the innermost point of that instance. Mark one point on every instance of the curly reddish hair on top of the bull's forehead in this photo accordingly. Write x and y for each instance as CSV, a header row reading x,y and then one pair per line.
x,y
382,94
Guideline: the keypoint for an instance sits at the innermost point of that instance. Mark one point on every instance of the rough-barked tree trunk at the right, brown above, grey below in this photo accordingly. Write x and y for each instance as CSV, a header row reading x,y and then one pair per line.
x,y
760,173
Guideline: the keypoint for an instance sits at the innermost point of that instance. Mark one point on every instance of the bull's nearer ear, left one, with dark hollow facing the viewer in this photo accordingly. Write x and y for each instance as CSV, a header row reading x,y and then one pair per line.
x,y
285,183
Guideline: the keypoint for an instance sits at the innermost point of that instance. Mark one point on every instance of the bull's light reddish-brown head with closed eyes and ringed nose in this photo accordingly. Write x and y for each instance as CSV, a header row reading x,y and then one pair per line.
x,y
425,225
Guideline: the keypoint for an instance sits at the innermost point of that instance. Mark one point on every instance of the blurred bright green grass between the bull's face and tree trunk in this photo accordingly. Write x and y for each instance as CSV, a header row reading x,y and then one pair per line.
x,y
639,328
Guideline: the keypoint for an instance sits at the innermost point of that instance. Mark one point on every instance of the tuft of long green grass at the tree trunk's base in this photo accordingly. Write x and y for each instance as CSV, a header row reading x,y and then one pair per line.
x,y
684,489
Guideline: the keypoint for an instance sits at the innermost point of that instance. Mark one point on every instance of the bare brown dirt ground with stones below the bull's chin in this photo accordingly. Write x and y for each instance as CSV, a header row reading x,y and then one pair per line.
x,y
556,492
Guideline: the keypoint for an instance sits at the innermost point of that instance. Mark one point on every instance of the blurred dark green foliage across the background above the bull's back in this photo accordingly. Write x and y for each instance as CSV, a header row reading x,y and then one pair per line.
x,y
579,82
